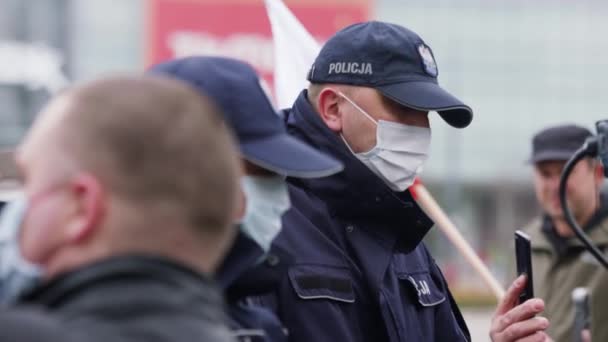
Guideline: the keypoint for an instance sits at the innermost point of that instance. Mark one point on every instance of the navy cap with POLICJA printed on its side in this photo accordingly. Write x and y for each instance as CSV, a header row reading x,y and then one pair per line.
x,y
393,60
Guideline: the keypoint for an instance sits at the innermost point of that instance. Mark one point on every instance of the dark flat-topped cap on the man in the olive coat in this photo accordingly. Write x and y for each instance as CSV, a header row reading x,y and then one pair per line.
x,y
558,143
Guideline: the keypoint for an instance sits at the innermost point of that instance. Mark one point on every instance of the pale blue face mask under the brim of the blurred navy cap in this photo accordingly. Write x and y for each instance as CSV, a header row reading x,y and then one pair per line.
x,y
267,200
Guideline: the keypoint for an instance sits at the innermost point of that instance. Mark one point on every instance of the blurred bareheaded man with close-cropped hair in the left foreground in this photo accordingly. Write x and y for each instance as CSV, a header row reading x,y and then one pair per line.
x,y
130,188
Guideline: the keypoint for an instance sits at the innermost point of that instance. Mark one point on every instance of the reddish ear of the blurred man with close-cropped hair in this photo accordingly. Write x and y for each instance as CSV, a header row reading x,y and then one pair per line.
x,y
90,209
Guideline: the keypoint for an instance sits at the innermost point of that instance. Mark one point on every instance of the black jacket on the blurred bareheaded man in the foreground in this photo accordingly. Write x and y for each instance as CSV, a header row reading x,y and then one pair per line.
x,y
132,298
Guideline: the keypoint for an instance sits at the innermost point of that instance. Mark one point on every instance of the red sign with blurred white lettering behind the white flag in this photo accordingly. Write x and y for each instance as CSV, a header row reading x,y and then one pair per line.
x,y
238,28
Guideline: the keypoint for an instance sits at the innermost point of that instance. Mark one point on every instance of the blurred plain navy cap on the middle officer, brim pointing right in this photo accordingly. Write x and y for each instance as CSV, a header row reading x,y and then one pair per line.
x,y
236,88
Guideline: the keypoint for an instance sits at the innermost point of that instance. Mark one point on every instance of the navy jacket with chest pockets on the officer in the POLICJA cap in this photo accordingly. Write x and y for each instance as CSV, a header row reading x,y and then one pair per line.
x,y
357,269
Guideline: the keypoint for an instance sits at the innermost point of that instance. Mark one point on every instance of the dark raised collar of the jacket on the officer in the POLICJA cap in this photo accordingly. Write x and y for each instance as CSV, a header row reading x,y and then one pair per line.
x,y
356,193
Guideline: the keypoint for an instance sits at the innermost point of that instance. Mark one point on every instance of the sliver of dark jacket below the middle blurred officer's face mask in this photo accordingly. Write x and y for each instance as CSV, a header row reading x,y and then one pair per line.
x,y
248,322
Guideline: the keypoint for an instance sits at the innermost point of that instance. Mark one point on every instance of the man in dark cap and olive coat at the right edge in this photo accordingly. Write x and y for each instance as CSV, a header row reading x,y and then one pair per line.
x,y
560,262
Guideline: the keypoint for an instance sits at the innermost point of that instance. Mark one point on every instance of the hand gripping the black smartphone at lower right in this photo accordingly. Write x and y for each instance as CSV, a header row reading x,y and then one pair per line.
x,y
512,322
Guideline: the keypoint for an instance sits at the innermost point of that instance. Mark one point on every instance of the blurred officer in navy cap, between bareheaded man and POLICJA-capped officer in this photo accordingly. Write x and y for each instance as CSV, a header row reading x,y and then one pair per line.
x,y
269,155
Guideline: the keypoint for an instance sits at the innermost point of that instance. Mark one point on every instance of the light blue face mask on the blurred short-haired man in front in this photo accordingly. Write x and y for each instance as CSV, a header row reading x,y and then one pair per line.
x,y
17,275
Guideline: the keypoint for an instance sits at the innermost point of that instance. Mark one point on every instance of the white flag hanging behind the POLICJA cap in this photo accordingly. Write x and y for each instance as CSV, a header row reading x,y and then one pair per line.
x,y
294,52
